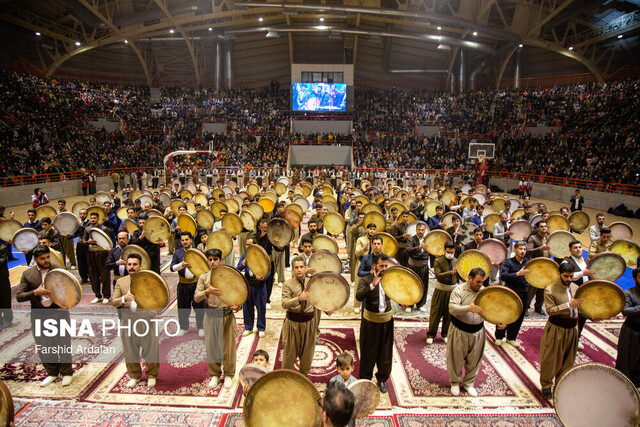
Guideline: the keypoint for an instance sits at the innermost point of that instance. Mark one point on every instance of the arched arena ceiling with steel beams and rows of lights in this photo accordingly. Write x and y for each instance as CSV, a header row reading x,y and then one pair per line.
x,y
407,43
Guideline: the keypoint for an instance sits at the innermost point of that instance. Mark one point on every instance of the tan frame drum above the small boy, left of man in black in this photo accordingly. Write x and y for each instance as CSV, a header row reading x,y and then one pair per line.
x,y
328,291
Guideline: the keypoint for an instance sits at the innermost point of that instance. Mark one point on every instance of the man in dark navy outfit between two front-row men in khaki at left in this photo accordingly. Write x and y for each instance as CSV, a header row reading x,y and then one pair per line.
x,y
187,283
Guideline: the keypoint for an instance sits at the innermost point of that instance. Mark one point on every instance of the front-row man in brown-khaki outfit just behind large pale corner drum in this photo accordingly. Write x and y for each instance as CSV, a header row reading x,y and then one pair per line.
x,y
559,343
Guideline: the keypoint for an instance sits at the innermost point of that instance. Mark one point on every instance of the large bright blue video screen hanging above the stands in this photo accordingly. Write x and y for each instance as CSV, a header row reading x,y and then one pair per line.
x,y
319,96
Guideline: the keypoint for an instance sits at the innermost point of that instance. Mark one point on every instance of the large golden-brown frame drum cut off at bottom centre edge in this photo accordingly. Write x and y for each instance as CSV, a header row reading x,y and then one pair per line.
x,y
282,398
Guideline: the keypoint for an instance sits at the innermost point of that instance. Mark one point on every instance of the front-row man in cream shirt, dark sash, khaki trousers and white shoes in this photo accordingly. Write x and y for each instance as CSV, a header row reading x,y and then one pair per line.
x,y
466,334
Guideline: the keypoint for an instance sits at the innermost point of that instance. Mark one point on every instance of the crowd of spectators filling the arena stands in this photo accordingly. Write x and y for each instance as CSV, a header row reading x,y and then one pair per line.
x,y
45,126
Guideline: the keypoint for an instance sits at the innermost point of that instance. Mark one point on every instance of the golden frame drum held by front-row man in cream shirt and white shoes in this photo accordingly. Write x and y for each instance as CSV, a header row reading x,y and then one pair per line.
x,y
500,305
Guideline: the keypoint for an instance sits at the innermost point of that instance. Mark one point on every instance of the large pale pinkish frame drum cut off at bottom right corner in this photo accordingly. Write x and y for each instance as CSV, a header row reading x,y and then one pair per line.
x,y
616,402
